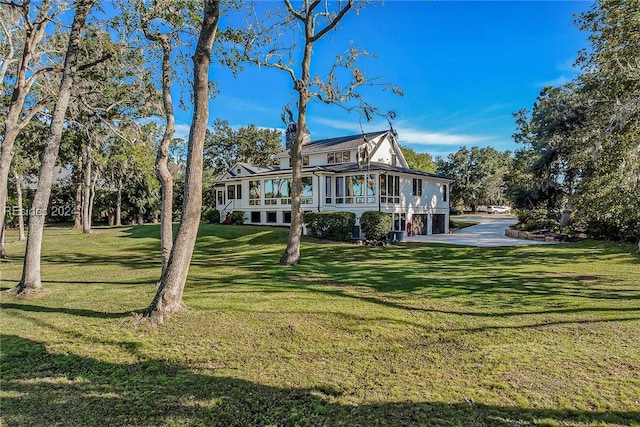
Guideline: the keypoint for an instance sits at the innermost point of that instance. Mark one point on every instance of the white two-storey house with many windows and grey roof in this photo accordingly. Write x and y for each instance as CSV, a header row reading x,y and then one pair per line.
x,y
357,173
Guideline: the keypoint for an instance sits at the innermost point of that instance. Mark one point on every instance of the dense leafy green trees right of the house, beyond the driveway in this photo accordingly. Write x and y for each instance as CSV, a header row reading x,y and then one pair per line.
x,y
579,164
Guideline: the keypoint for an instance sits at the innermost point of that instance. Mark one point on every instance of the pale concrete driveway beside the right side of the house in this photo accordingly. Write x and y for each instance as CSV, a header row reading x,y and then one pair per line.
x,y
489,233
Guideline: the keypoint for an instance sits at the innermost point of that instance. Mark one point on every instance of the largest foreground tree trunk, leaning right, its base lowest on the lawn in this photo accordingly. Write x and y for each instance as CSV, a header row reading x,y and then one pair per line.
x,y
168,299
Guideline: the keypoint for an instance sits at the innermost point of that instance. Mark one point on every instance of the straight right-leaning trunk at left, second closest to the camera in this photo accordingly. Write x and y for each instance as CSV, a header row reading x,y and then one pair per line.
x,y
31,279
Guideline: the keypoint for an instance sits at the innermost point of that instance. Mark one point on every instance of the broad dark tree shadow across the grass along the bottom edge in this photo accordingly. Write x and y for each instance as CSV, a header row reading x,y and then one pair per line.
x,y
43,388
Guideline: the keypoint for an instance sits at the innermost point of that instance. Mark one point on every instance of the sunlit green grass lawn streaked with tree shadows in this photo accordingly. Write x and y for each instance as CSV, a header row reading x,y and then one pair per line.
x,y
427,335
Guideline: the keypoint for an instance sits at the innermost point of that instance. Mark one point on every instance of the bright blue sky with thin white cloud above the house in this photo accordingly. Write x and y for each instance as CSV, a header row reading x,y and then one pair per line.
x,y
464,67
